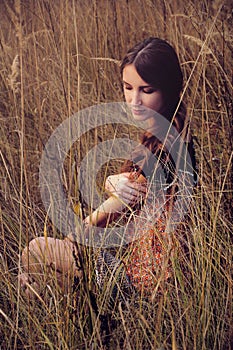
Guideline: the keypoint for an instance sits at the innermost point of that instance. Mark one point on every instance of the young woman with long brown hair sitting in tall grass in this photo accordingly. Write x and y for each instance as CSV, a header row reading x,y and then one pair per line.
x,y
152,82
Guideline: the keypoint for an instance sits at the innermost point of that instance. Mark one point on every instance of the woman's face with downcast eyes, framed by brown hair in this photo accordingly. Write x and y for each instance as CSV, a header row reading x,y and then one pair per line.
x,y
141,96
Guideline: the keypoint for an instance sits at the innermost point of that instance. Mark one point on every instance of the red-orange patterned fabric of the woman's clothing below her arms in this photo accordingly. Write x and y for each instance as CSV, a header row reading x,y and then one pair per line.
x,y
148,257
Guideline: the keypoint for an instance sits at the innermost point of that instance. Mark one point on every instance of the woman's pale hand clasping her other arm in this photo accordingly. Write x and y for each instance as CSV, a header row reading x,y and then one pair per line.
x,y
128,187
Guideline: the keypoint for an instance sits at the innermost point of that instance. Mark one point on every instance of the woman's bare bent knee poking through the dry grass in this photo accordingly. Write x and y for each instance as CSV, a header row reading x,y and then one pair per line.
x,y
48,260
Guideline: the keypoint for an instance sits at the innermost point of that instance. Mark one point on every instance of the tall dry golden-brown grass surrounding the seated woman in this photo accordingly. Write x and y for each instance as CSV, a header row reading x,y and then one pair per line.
x,y
58,57
